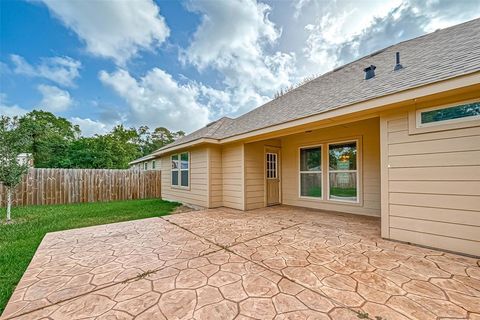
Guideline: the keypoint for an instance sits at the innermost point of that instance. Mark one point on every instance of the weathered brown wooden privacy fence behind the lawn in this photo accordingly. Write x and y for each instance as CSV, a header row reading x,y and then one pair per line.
x,y
60,186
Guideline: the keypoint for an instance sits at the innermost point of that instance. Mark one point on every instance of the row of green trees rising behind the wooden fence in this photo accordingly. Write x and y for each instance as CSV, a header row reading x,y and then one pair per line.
x,y
55,142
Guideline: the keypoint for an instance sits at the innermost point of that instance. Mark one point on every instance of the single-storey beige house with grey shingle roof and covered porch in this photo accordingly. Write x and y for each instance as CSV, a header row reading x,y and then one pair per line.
x,y
395,135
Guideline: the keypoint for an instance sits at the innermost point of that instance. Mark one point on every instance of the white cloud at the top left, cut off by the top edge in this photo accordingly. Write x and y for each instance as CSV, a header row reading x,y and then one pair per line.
x,y
113,29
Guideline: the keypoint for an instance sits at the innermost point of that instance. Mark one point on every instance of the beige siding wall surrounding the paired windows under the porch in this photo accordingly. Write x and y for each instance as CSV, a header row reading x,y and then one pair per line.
x,y
367,132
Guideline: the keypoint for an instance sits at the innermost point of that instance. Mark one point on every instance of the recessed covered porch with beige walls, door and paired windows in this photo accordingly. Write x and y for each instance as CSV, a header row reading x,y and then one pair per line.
x,y
332,168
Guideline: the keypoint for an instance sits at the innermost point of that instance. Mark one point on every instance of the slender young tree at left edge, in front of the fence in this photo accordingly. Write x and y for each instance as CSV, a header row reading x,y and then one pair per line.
x,y
12,143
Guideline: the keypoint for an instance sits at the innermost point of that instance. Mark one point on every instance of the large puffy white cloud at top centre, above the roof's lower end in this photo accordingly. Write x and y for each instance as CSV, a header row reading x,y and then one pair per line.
x,y
233,39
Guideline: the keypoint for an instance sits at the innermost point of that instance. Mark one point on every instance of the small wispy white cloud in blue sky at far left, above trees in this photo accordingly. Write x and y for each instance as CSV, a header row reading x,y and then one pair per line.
x,y
62,70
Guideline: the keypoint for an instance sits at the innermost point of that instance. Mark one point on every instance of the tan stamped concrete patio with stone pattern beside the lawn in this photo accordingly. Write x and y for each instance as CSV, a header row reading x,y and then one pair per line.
x,y
274,263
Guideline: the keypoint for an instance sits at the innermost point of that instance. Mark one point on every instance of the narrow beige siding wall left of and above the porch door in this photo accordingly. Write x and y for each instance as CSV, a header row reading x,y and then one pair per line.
x,y
255,173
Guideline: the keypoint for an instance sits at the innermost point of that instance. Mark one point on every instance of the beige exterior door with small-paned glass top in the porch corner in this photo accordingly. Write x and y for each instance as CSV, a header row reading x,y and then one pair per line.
x,y
272,176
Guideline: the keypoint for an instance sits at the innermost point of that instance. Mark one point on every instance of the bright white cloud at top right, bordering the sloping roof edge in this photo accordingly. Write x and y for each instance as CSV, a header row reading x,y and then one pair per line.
x,y
345,31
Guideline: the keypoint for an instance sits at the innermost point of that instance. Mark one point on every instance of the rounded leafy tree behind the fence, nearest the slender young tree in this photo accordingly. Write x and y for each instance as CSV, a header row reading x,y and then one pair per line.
x,y
49,136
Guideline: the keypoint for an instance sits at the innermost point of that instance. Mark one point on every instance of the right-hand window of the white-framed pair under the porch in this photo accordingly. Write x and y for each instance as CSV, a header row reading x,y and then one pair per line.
x,y
343,173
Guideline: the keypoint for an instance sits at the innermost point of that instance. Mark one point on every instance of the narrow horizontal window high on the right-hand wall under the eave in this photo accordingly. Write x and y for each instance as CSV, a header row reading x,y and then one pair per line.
x,y
443,115
